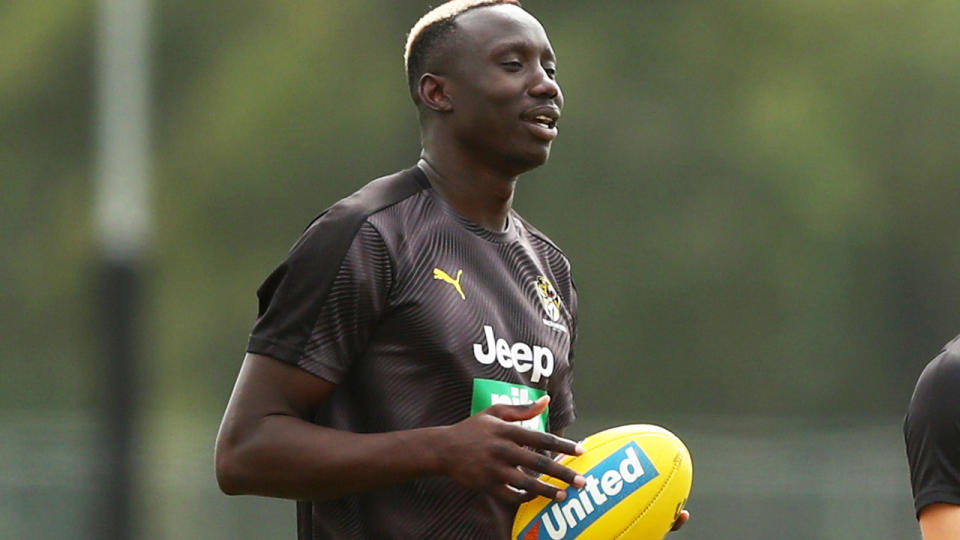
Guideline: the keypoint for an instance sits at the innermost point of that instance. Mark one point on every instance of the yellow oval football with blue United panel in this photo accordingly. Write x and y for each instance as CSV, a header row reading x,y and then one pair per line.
x,y
638,479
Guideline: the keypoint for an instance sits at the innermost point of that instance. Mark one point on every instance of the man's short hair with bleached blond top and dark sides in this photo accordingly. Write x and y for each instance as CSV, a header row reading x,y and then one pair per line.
x,y
429,32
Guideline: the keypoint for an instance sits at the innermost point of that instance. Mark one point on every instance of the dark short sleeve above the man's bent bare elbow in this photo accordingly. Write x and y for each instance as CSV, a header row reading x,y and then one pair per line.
x,y
318,310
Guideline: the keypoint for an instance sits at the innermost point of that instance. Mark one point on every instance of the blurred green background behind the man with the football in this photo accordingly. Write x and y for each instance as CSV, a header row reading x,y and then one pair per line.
x,y
760,200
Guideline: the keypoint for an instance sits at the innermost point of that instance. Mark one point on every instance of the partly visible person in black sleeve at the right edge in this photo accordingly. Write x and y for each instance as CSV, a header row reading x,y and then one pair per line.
x,y
932,432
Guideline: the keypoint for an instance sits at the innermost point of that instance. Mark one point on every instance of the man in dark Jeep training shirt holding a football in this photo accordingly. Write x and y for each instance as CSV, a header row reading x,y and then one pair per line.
x,y
400,371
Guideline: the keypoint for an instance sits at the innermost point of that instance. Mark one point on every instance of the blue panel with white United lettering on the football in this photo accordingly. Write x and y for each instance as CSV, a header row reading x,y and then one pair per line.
x,y
612,480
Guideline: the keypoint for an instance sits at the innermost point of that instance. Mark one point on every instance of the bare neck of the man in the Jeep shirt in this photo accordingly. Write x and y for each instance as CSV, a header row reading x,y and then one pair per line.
x,y
477,193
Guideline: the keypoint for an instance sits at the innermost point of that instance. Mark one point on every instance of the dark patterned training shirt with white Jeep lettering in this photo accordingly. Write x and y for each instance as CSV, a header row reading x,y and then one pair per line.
x,y
421,318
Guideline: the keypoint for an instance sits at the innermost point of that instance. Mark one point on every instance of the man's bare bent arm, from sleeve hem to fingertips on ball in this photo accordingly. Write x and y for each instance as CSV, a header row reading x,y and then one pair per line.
x,y
268,446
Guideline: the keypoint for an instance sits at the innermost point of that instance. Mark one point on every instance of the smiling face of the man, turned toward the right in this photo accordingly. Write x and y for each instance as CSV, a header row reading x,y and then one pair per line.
x,y
503,87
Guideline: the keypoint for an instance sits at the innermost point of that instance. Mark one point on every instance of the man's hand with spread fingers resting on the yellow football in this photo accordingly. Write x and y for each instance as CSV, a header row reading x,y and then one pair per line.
x,y
486,452
